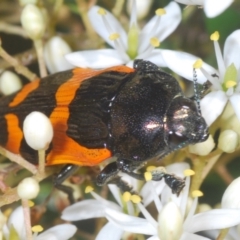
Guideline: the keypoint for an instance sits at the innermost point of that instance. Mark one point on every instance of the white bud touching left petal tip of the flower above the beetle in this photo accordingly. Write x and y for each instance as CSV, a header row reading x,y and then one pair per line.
x,y
54,55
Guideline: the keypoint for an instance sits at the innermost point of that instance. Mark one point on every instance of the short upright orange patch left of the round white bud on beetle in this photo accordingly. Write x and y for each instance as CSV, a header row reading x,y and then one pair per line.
x,y
15,133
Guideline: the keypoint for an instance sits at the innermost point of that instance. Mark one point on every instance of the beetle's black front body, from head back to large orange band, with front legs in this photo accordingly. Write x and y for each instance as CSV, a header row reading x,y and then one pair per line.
x,y
144,116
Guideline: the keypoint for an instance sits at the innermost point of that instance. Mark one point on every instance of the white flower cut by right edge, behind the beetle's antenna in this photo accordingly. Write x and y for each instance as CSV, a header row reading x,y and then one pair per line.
x,y
225,81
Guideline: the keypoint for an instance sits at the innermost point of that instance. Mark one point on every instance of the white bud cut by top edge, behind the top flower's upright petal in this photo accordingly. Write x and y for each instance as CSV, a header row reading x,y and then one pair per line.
x,y
143,7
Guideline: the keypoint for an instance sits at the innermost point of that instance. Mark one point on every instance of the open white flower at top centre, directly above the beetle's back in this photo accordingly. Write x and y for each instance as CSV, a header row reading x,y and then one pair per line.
x,y
131,45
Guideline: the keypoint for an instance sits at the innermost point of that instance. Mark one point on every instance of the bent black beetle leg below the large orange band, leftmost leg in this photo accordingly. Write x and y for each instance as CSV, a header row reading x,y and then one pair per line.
x,y
59,178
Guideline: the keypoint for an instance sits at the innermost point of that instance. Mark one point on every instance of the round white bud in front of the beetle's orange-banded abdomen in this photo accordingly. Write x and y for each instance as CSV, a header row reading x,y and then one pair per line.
x,y
38,131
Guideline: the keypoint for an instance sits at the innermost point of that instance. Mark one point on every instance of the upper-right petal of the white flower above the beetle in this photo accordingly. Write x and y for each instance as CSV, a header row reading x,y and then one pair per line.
x,y
168,24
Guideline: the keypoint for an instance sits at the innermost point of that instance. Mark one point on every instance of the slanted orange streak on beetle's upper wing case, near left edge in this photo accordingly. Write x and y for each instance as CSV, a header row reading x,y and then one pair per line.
x,y
24,93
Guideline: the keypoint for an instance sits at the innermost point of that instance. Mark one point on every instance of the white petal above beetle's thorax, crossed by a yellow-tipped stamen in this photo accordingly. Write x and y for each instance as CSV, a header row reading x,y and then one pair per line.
x,y
182,64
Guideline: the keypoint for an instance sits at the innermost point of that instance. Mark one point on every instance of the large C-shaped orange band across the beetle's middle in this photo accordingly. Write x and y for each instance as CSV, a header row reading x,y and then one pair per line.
x,y
64,149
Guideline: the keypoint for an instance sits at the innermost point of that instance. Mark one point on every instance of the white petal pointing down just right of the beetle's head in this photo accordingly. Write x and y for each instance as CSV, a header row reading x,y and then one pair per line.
x,y
212,106
